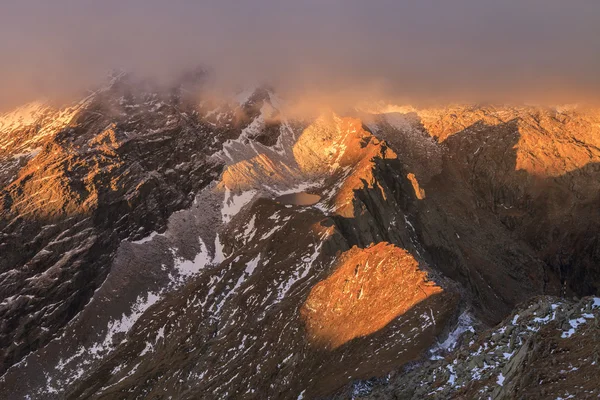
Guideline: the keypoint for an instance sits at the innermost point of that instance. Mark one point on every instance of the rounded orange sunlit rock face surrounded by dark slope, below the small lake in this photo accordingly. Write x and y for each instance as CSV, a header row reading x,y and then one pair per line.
x,y
369,288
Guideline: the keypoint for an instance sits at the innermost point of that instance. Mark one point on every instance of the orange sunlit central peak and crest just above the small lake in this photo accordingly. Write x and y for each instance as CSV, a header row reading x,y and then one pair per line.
x,y
328,146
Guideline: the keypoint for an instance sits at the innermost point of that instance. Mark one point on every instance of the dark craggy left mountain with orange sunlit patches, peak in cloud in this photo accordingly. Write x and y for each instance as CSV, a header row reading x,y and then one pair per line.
x,y
125,159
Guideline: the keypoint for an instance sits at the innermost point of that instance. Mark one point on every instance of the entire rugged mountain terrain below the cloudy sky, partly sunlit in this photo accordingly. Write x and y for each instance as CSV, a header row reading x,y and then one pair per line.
x,y
145,254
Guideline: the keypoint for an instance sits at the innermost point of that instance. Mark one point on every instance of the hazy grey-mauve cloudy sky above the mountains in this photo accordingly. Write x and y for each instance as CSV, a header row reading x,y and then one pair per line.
x,y
412,49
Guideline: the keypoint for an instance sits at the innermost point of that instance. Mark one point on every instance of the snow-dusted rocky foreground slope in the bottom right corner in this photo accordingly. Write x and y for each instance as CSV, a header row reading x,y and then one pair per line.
x,y
545,349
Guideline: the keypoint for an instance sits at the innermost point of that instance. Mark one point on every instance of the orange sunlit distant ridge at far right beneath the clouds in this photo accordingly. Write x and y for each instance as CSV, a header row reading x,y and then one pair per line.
x,y
552,141
